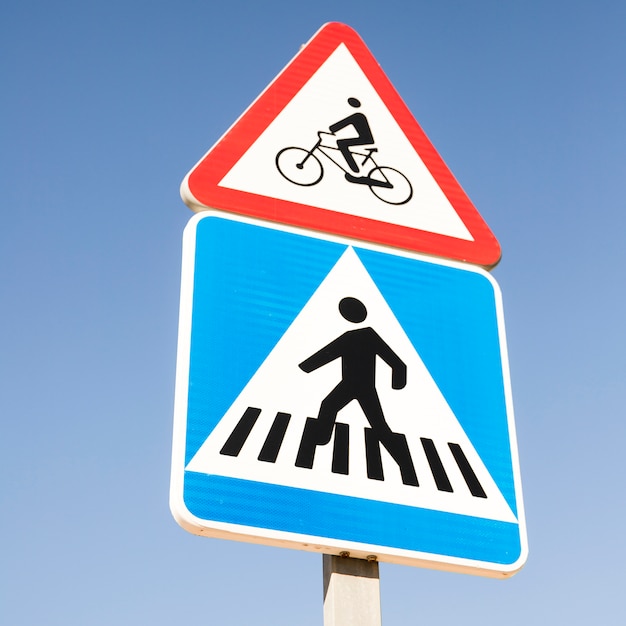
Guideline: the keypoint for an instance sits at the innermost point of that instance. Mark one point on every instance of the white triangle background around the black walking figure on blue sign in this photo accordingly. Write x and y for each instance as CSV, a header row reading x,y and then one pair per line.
x,y
418,411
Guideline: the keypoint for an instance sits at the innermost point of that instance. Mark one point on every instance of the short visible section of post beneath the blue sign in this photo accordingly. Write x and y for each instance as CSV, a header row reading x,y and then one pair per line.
x,y
351,592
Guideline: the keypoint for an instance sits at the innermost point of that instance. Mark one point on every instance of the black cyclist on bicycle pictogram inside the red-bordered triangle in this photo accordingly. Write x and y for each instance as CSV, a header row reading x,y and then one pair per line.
x,y
303,167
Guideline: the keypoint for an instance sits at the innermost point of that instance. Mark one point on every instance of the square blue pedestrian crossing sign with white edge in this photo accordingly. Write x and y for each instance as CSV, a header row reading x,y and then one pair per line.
x,y
339,396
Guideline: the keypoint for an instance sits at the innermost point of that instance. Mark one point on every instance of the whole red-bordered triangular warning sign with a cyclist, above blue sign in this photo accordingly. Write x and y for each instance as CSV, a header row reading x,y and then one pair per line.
x,y
330,145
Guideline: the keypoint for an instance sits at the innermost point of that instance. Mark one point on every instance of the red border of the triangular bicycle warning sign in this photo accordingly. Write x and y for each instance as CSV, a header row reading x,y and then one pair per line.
x,y
201,190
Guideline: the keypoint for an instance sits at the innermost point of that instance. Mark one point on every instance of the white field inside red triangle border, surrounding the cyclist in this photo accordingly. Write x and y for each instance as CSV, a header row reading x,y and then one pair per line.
x,y
320,103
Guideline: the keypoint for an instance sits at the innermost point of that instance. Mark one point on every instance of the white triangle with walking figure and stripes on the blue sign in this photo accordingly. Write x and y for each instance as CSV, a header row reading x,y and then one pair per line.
x,y
413,453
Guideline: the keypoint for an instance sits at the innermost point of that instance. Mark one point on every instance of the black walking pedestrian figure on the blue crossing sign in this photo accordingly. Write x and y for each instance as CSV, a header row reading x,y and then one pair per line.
x,y
358,350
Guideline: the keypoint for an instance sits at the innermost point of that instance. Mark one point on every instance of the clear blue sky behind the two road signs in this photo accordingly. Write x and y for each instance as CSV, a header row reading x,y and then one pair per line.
x,y
106,106
